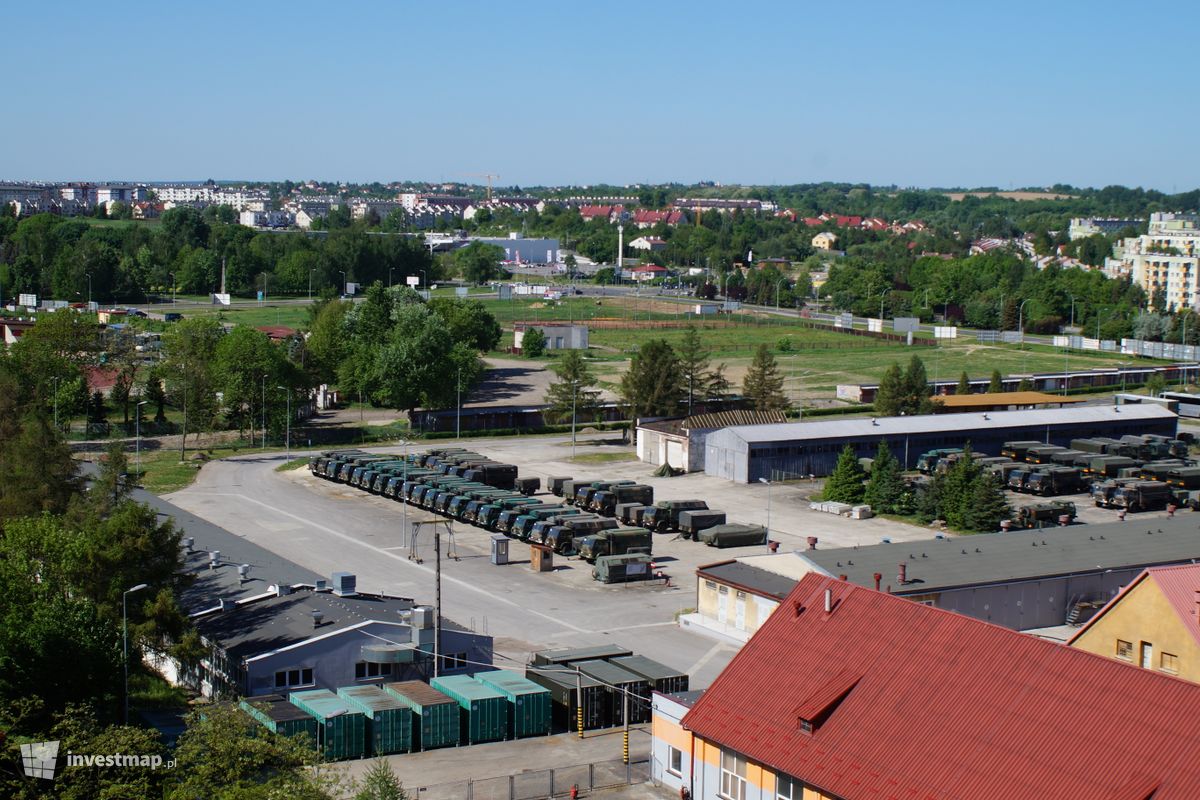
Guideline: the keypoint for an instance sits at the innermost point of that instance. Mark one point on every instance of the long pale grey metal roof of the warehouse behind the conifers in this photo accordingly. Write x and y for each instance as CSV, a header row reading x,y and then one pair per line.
x,y
899,426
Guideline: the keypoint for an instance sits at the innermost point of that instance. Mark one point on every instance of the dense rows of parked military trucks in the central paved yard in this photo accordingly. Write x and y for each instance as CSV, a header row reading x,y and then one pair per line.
x,y
593,519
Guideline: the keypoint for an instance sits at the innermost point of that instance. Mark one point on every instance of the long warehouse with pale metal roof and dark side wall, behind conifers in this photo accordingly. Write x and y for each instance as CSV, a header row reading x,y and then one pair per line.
x,y
749,453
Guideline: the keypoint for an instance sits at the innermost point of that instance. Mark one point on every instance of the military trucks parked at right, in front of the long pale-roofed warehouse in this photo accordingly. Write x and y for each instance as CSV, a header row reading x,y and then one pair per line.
x,y
1135,473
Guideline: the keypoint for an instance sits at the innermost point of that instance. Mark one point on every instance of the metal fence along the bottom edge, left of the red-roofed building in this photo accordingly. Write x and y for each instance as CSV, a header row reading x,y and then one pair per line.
x,y
538,785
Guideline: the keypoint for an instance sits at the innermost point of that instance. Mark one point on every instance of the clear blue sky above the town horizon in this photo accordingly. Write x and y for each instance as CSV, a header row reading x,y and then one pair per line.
x,y
920,94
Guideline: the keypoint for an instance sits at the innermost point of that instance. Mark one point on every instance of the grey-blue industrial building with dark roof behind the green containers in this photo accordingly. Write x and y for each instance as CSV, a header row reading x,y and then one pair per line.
x,y
272,627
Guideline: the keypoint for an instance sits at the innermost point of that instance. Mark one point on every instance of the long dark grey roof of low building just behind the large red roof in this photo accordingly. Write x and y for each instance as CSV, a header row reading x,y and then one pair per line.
x,y
999,558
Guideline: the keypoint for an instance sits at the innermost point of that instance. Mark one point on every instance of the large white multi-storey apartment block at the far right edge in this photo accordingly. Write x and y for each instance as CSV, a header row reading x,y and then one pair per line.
x,y
1165,261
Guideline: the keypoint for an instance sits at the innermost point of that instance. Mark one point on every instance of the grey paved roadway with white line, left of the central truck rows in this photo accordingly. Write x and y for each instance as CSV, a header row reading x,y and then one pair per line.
x,y
329,527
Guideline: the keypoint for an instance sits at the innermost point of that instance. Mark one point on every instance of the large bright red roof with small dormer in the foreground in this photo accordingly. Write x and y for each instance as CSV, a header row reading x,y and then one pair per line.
x,y
947,708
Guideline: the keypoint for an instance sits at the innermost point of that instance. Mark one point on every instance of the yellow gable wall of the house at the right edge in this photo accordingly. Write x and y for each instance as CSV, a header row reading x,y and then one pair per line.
x,y
1145,615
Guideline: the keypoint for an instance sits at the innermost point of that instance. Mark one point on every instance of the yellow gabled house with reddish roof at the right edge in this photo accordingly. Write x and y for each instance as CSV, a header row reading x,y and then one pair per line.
x,y
1153,624
